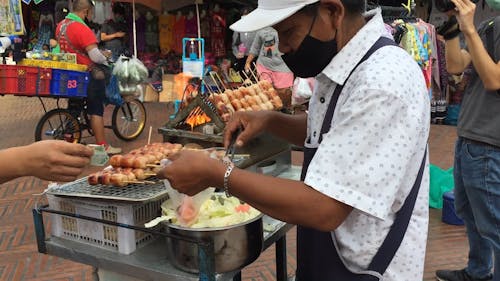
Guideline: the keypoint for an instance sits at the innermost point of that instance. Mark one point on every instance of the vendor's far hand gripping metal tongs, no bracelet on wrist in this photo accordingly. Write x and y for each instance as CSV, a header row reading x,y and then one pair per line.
x,y
252,124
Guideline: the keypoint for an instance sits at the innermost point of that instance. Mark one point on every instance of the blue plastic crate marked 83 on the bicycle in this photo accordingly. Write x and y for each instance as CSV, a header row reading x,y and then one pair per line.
x,y
69,83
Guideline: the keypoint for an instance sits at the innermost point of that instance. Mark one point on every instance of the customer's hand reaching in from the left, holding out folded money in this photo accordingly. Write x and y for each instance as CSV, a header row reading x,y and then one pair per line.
x,y
55,160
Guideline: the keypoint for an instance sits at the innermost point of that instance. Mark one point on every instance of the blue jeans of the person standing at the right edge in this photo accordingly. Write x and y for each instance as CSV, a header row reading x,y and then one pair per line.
x,y
477,202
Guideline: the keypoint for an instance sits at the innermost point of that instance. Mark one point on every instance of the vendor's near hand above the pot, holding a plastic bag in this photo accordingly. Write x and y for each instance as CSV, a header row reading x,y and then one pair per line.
x,y
192,171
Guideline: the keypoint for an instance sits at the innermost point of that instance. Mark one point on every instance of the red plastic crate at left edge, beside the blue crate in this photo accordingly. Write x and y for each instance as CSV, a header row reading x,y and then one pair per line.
x,y
25,80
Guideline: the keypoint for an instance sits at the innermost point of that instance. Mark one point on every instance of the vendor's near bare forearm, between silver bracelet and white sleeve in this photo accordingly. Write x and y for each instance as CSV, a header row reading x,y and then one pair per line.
x,y
286,200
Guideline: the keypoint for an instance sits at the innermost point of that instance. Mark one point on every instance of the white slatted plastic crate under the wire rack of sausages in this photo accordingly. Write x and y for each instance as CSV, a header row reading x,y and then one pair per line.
x,y
113,238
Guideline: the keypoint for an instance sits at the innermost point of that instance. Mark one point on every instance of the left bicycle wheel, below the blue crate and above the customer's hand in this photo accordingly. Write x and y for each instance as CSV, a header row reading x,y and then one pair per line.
x,y
58,124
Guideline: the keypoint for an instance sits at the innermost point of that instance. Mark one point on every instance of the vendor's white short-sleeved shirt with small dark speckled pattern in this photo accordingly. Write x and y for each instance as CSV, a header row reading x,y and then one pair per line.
x,y
371,156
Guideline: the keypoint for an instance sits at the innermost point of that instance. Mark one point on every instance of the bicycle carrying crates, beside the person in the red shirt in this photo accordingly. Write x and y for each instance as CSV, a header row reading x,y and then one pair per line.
x,y
127,122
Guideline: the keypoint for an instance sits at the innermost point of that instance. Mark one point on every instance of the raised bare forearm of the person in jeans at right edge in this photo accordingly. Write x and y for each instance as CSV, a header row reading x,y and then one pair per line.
x,y
488,70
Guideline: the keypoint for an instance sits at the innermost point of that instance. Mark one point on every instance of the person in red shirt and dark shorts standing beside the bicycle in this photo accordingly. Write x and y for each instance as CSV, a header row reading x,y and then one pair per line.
x,y
74,36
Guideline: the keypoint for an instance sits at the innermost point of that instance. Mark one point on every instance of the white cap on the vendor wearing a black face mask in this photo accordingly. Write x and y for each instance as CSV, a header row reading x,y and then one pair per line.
x,y
269,13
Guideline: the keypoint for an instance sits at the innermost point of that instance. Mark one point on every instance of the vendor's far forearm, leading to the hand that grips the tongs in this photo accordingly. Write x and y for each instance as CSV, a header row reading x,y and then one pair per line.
x,y
292,128
